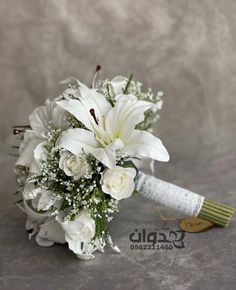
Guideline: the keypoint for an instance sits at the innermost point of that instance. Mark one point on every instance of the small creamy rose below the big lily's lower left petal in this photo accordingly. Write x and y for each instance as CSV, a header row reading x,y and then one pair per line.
x,y
74,165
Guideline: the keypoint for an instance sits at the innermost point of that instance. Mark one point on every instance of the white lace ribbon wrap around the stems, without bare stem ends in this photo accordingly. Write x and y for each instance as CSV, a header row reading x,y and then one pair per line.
x,y
168,194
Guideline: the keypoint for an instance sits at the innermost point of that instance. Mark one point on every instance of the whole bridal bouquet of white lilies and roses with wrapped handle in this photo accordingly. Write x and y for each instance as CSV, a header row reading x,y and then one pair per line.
x,y
79,157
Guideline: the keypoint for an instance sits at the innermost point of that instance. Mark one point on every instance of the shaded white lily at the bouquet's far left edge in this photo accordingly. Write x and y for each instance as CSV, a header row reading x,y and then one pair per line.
x,y
41,120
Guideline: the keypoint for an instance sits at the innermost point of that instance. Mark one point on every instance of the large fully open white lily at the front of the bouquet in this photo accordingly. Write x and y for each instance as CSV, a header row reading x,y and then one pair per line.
x,y
109,128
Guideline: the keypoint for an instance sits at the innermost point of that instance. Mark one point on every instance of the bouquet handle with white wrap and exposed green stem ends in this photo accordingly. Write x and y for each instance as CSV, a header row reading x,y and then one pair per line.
x,y
183,200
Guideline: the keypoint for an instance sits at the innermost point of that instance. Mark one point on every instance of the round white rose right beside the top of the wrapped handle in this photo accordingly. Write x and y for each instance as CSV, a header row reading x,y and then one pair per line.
x,y
118,182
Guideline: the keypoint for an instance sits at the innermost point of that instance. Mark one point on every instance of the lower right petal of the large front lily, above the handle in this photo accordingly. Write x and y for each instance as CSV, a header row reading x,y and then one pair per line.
x,y
144,144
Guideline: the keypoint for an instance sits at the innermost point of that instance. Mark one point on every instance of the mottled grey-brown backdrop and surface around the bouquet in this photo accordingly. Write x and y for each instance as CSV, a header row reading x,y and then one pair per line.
x,y
184,48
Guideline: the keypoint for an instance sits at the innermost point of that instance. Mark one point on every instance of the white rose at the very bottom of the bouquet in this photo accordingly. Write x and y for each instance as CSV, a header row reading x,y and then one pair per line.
x,y
78,234
